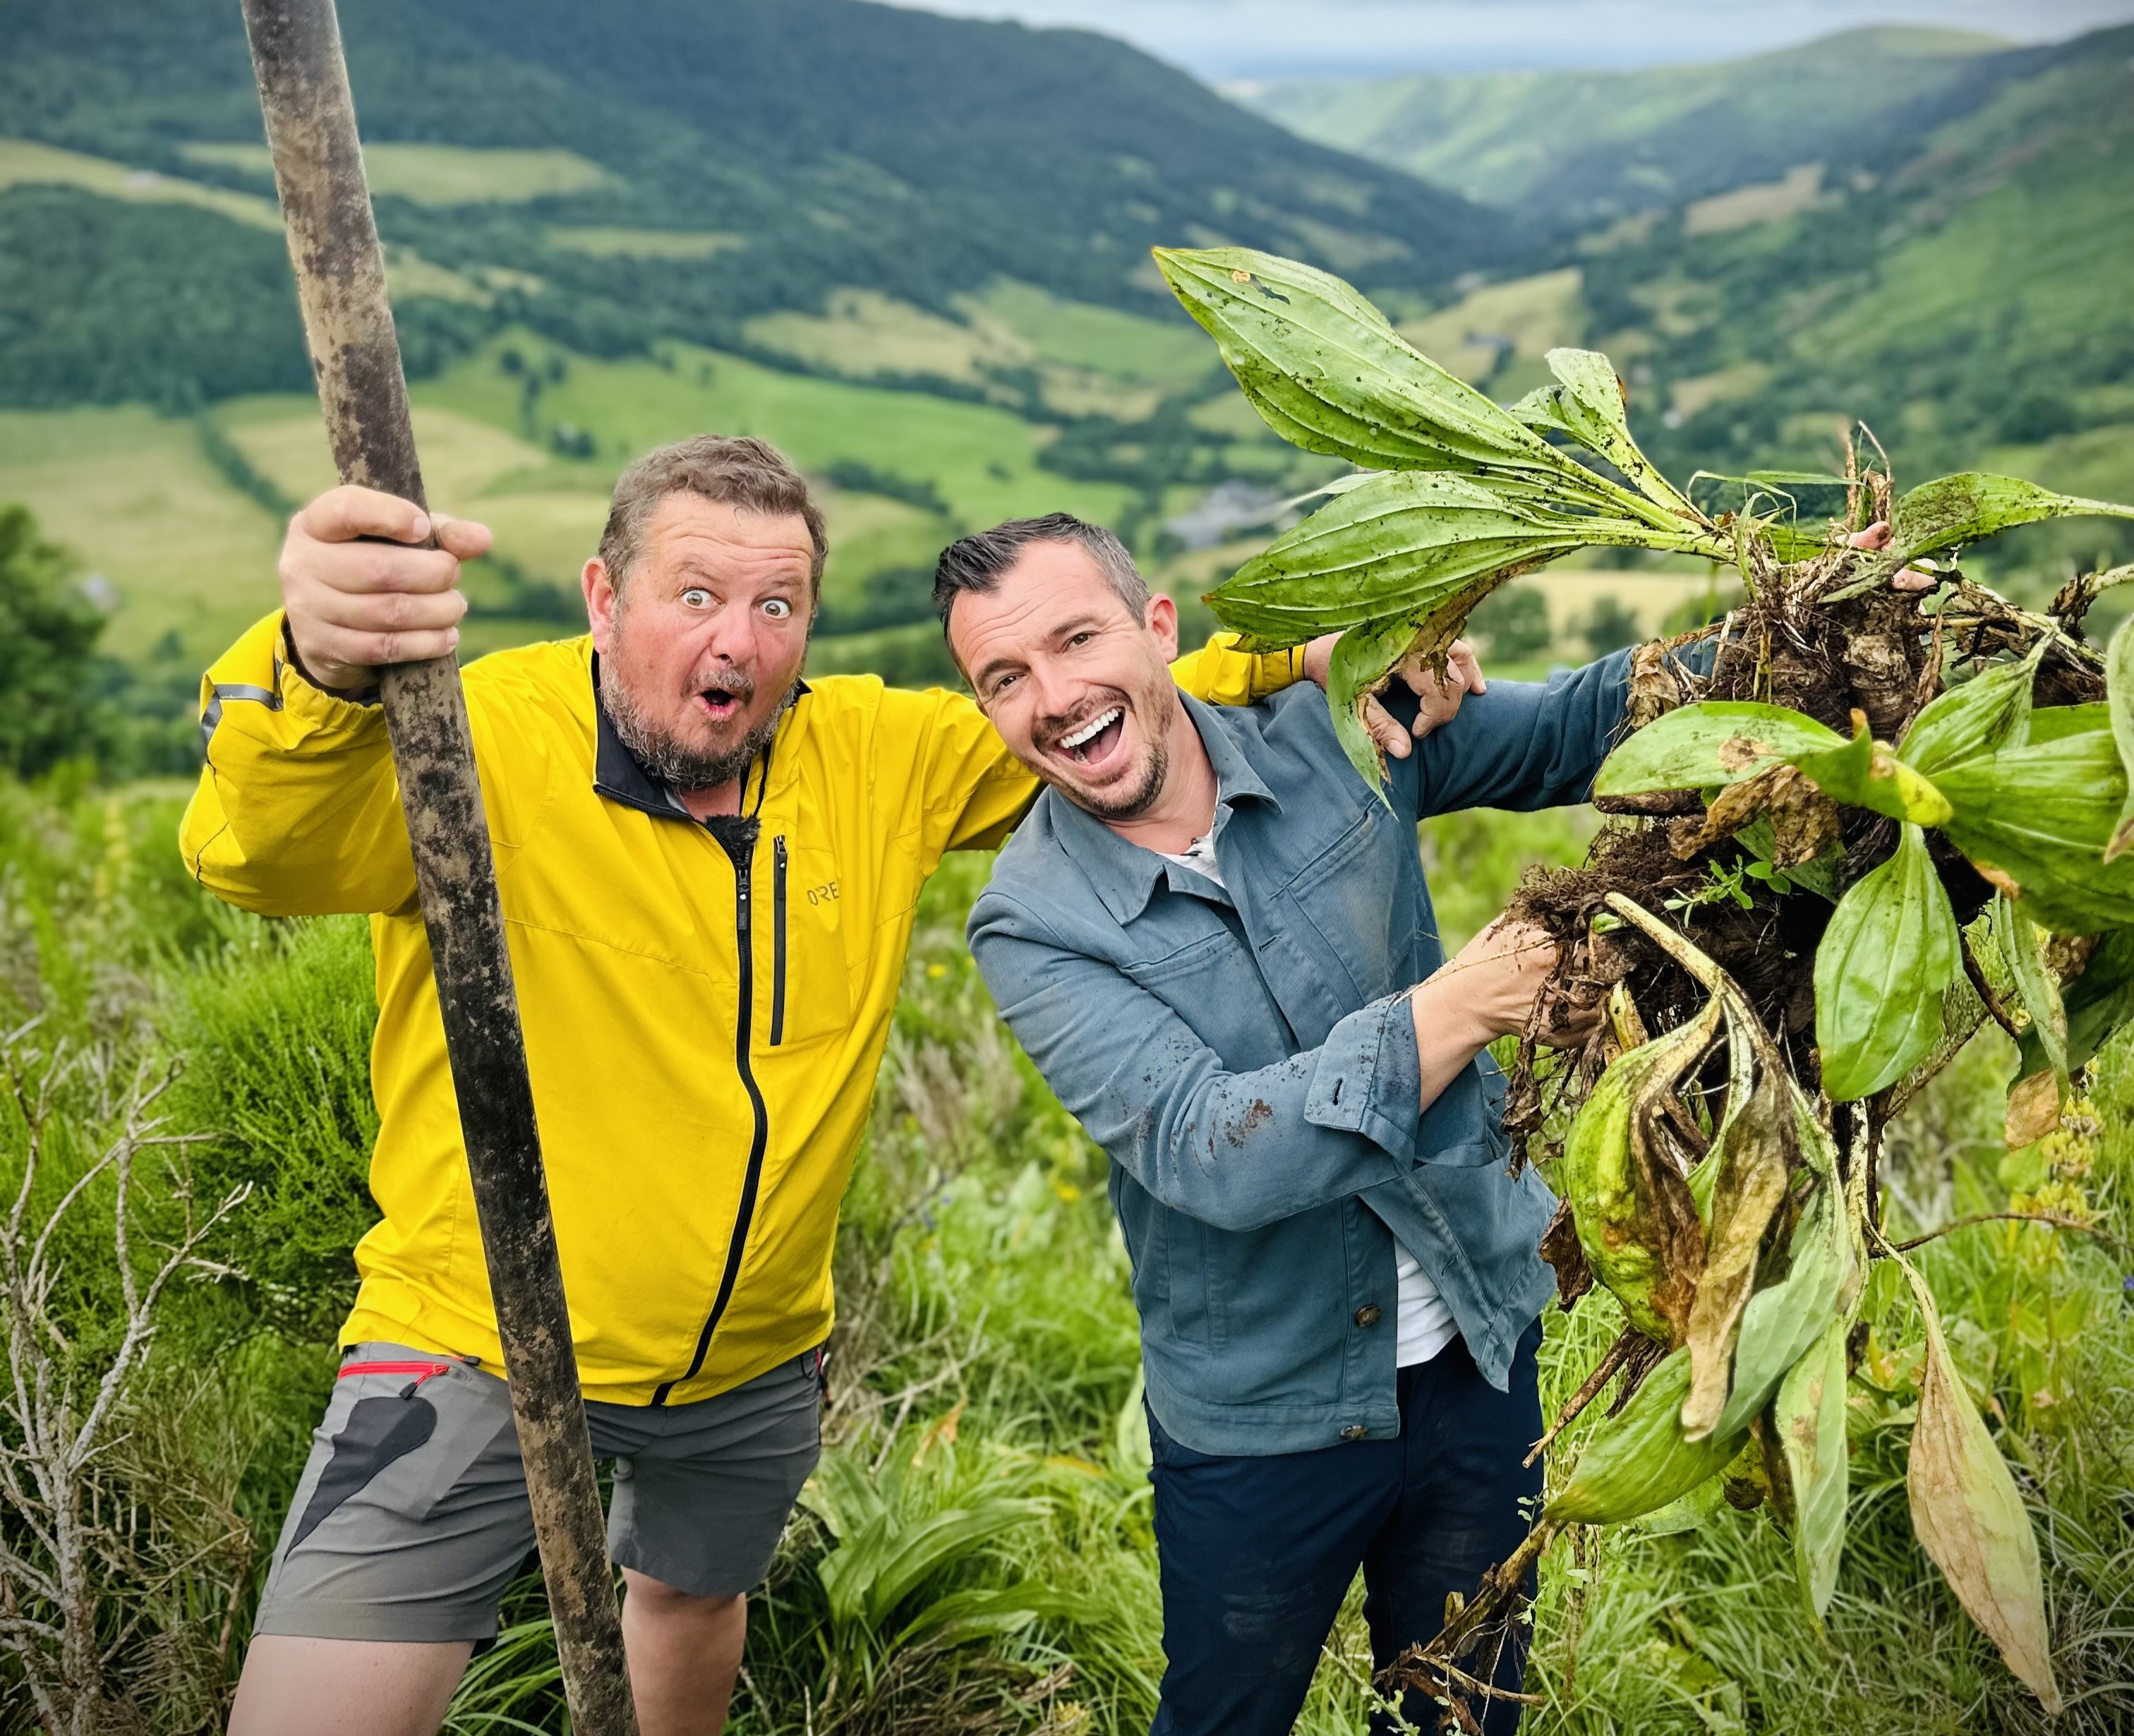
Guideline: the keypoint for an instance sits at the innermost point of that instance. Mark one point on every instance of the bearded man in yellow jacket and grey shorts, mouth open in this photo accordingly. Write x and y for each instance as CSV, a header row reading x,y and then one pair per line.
x,y
710,872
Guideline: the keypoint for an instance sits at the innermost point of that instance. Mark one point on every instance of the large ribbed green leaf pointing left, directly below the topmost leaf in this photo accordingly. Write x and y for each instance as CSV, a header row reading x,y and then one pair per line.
x,y
1405,543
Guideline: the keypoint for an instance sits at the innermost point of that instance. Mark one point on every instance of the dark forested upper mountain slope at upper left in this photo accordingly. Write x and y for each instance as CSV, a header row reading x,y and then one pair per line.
x,y
848,144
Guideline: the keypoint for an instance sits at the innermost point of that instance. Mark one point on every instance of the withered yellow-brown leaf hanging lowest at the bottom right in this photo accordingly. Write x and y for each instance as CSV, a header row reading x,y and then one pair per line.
x,y
1971,1515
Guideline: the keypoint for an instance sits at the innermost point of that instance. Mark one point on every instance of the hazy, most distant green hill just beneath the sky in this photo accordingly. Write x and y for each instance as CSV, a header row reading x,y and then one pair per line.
x,y
1591,146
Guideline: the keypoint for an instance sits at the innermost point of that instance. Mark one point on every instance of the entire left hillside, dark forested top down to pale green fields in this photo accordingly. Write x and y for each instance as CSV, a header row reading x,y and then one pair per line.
x,y
908,249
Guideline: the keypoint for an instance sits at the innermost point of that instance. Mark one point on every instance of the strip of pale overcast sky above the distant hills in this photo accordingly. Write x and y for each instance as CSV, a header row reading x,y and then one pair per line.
x,y
1258,40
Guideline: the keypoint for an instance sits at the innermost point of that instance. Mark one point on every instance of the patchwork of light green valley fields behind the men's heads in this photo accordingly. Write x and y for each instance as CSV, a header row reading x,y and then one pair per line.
x,y
180,514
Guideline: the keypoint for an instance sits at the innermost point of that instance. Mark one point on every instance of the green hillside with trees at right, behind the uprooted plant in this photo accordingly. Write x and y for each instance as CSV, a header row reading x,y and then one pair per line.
x,y
1966,304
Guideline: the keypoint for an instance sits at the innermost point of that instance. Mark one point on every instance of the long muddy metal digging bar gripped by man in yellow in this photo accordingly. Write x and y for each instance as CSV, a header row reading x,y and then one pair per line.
x,y
343,287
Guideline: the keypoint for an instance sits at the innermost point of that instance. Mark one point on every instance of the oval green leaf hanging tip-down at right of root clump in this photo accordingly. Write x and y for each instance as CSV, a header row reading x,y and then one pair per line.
x,y
1881,970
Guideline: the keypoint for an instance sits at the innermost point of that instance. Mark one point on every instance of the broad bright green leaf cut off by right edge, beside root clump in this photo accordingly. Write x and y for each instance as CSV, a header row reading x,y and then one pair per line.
x,y
2039,817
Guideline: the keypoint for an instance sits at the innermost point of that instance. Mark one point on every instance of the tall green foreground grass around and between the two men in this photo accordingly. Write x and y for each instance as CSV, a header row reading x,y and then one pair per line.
x,y
985,1370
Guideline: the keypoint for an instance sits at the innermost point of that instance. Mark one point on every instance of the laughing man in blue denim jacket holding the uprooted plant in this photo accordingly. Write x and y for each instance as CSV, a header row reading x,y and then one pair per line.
x,y
1217,945
